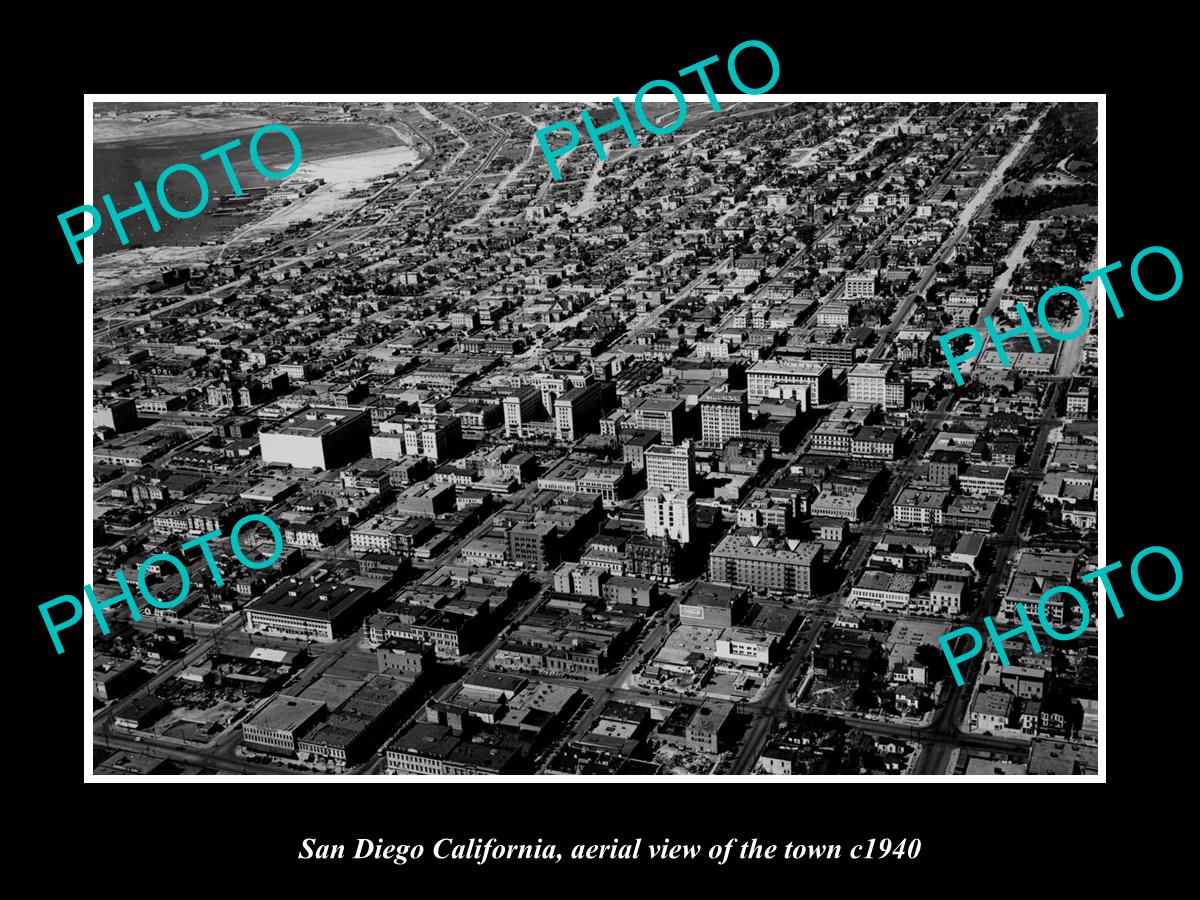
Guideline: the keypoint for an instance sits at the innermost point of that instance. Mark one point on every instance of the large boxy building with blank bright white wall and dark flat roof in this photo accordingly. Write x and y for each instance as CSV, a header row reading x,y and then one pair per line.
x,y
319,437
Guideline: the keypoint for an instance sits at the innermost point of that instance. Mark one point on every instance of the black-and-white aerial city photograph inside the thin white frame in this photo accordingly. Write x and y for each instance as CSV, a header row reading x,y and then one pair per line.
x,y
658,469
